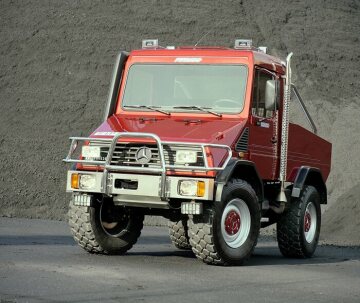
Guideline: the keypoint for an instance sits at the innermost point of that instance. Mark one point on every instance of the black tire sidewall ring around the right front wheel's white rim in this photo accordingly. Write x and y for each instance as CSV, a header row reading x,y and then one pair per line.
x,y
237,189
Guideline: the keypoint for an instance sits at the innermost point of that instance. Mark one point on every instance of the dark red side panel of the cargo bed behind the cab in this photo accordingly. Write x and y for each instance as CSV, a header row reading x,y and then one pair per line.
x,y
307,149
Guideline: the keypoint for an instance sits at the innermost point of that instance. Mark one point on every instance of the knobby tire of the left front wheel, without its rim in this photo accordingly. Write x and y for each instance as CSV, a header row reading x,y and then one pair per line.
x,y
89,232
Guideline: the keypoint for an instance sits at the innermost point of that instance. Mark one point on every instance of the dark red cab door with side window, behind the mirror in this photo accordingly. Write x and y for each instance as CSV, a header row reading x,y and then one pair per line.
x,y
263,128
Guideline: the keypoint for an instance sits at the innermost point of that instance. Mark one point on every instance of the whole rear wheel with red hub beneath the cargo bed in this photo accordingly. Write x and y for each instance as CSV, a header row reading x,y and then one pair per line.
x,y
299,228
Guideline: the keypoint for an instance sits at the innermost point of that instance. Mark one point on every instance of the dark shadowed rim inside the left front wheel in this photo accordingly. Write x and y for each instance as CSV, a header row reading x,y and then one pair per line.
x,y
114,228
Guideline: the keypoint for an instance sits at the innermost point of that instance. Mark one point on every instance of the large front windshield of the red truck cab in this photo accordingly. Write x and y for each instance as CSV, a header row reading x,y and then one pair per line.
x,y
188,87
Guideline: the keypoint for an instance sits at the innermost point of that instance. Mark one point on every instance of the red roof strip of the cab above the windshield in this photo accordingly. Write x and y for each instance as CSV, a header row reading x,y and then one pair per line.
x,y
256,56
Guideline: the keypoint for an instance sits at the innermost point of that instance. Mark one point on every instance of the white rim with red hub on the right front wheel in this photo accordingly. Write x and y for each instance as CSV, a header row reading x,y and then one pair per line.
x,y
235,223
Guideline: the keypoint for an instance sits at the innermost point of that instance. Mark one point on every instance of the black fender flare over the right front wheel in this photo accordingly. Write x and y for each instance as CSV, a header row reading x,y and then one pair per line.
x,y
249,174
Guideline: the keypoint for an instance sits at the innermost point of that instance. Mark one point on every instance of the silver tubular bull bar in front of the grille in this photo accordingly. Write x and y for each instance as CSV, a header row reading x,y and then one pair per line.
x,y
163,166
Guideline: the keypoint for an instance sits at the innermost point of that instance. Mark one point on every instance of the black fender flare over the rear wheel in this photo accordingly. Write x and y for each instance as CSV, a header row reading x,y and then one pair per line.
x,y
309,176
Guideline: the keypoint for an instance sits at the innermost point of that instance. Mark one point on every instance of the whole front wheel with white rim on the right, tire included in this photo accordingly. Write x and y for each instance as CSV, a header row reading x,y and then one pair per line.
x,y
229,235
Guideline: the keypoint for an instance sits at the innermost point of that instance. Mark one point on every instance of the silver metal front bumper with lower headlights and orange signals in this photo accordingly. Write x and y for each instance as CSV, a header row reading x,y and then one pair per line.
x,y
146,193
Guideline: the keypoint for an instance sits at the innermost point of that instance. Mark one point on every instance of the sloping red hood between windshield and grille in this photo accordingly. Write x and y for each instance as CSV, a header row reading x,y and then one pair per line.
x,y
202,130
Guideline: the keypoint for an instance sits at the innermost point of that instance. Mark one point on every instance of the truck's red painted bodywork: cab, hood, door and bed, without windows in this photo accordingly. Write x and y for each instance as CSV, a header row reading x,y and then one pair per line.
x,y
305,148
